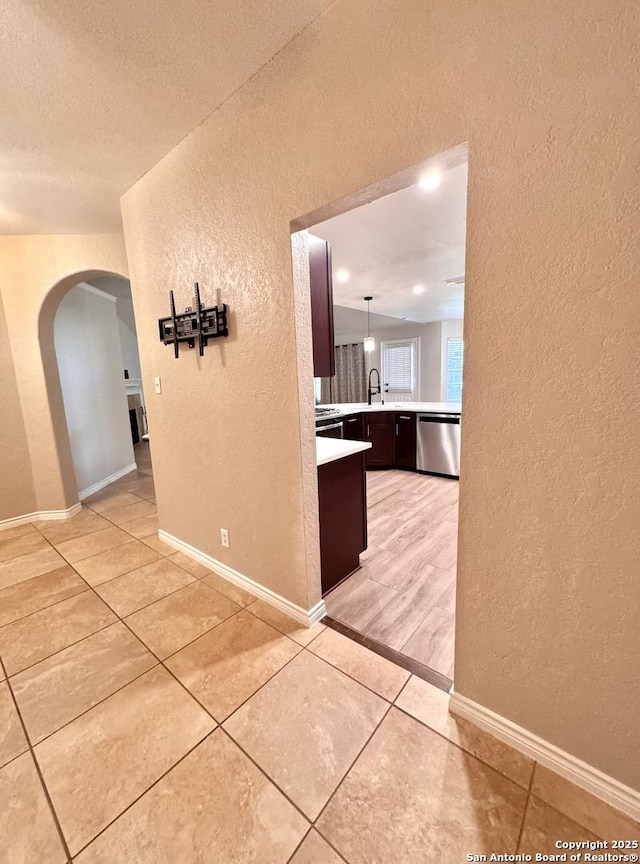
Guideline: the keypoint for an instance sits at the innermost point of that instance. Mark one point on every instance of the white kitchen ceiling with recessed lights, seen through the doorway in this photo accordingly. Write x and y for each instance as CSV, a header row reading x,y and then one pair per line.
x,y
413,237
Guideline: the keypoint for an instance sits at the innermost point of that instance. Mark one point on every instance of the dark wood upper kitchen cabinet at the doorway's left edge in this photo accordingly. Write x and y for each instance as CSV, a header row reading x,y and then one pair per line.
x,y
324,361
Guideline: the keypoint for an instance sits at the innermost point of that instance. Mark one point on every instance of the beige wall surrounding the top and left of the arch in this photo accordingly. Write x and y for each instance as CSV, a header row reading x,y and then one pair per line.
x,y
35,273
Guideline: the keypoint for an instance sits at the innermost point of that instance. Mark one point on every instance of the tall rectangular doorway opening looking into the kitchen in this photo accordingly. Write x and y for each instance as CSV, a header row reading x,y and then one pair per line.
x,y
391,378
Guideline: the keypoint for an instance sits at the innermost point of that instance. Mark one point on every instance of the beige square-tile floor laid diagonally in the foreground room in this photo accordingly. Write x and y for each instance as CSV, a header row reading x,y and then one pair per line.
x,y
154,713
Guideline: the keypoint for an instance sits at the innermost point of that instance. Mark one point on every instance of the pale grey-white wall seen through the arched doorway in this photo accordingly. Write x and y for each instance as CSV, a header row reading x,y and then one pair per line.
x,y
90,362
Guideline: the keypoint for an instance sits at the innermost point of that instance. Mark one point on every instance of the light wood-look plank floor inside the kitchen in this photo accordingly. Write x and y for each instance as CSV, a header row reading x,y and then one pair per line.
x,y
404,594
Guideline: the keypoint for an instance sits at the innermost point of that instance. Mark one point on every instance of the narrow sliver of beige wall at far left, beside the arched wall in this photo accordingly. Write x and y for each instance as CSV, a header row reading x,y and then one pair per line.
x,y
17,495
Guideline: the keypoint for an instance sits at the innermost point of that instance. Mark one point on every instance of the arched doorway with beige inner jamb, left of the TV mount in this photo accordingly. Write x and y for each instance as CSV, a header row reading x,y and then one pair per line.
x,y
81,335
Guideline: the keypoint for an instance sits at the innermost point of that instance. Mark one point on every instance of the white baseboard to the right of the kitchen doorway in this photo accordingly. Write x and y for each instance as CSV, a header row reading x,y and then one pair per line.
x,y
585,776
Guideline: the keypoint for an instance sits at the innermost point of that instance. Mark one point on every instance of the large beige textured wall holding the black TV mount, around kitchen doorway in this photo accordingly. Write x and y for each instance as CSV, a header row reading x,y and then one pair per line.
x,y
548,596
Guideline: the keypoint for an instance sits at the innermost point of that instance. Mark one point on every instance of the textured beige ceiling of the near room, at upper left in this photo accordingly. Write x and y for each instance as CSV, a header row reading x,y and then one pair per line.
x,y
93,94
